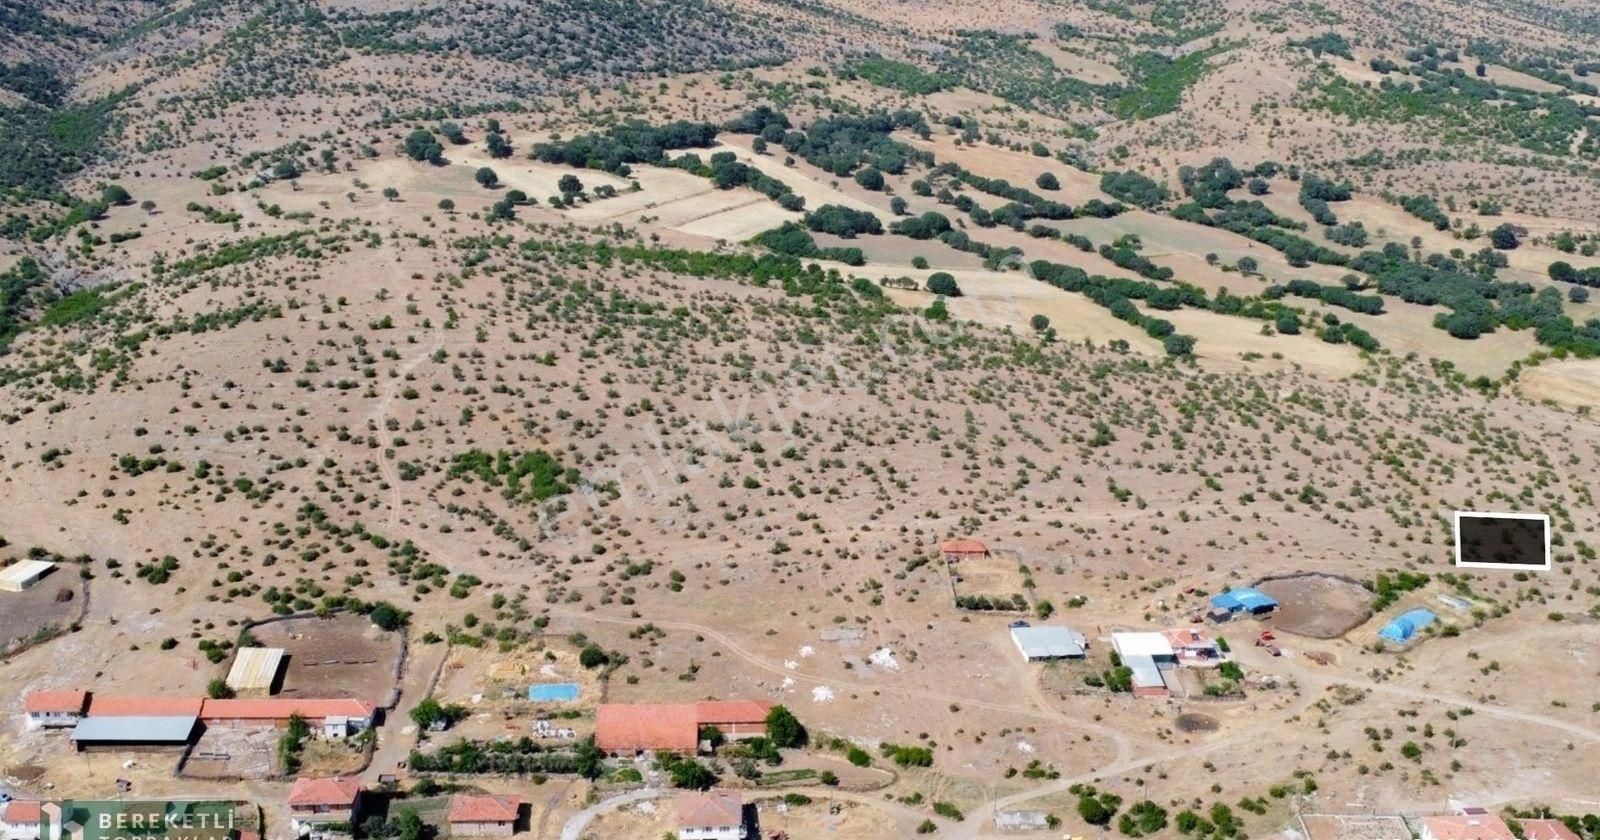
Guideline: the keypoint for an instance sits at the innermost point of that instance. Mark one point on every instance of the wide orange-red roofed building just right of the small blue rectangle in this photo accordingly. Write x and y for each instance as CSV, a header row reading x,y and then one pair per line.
x,y
631,729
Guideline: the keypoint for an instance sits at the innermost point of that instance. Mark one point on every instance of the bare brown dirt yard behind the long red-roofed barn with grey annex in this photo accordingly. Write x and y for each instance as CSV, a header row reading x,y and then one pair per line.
x,y
342,657
